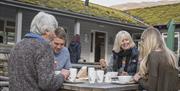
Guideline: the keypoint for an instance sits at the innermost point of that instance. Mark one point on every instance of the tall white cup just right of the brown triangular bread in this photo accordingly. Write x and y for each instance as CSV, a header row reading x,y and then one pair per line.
x,y
91,75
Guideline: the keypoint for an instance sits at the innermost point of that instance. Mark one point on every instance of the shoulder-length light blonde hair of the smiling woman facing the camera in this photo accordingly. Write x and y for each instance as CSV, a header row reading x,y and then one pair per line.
x,y
119,37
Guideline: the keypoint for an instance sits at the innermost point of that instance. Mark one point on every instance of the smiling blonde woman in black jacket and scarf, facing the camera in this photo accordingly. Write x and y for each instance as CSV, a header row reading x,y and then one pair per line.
x,y
124,56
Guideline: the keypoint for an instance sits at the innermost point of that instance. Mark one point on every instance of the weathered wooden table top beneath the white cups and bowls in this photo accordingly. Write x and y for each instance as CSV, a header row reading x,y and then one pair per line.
x,y
99,87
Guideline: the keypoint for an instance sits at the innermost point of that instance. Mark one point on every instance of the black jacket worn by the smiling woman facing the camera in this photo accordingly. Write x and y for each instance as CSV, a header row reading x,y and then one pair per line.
x,y
131,56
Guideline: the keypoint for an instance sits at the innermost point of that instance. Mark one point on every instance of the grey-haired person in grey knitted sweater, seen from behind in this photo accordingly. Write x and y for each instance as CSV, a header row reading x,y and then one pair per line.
x,y
31,62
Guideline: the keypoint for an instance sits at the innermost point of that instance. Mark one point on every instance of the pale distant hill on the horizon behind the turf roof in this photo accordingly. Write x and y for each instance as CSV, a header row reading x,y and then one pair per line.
x,y
128,6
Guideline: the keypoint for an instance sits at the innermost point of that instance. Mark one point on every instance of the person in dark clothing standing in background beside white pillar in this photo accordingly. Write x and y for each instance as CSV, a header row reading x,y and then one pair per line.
x,y
75,49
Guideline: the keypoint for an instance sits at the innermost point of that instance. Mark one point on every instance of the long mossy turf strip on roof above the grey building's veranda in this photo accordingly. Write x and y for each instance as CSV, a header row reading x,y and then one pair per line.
x,y
78,7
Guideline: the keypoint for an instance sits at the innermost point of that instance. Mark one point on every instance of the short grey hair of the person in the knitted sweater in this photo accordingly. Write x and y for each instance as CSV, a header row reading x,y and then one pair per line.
x,y
43,22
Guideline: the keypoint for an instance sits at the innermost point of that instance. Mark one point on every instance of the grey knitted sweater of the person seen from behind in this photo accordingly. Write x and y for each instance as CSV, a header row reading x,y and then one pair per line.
x,y
31,67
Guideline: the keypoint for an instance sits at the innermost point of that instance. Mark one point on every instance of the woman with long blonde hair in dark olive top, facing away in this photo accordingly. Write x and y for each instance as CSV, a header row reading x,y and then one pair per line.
x,y
158,68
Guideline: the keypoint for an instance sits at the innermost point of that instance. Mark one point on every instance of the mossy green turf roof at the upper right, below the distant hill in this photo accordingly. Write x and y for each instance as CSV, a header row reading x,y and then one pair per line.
x,y
159,14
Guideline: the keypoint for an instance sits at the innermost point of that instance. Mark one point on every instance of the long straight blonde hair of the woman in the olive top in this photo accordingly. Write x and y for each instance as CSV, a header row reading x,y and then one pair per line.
x,y
152,40
